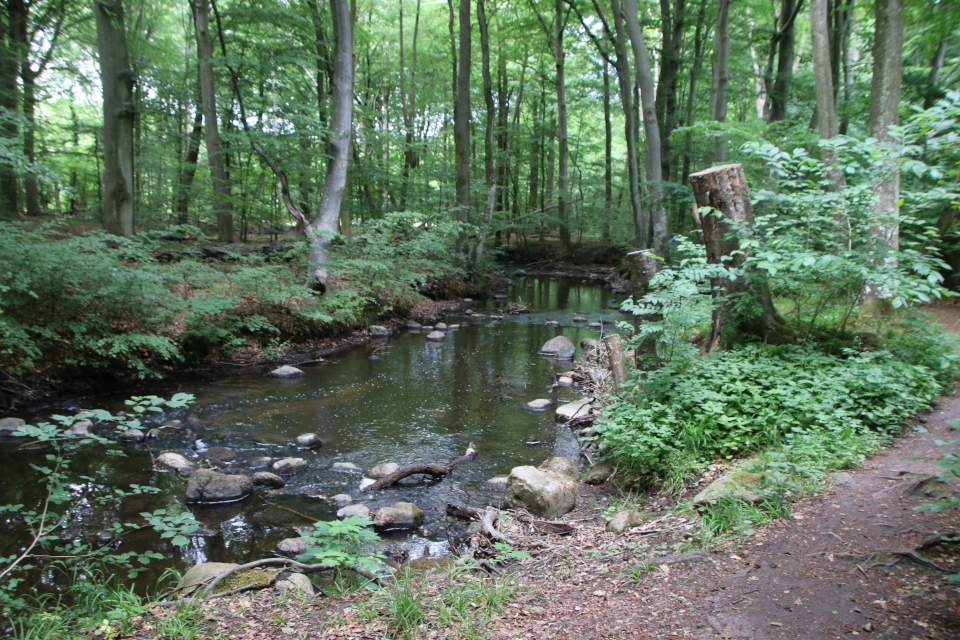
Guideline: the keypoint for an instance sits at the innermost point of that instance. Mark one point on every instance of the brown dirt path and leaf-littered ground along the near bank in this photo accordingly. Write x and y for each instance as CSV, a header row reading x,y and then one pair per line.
x,y
832,569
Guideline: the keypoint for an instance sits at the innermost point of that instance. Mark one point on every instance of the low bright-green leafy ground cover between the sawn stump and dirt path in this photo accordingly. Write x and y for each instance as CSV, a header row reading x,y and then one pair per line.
x,y
731,403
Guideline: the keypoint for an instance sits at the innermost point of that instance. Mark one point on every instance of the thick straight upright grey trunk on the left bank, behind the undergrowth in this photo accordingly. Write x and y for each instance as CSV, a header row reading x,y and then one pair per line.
x,y
117,80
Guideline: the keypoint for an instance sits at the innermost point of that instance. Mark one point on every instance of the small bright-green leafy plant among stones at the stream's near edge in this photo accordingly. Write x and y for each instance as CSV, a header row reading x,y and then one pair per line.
x,y
342,543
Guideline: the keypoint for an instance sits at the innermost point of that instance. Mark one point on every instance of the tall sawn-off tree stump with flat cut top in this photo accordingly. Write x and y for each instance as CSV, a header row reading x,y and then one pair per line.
x,y
724,189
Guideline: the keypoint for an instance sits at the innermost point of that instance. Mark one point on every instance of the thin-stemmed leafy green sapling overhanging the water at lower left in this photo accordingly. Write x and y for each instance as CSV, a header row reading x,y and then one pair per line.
x,y
45,524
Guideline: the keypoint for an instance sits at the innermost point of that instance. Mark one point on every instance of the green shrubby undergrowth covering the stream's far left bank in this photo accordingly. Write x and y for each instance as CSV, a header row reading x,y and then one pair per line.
x,y
89,301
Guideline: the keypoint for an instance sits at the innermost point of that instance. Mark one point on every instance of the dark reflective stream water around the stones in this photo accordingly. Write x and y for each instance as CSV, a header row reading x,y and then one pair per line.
x,y
415,402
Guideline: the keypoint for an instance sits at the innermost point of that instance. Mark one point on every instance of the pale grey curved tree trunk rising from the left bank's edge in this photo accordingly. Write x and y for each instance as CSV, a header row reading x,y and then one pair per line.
x,y
324,226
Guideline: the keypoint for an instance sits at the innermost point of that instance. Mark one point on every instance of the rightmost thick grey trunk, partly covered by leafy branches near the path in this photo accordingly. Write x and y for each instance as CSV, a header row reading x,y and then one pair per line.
x,y
885,111
